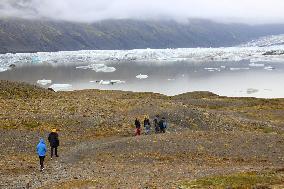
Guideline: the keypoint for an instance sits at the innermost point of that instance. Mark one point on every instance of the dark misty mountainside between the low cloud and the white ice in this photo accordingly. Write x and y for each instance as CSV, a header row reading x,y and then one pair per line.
x,y
17,35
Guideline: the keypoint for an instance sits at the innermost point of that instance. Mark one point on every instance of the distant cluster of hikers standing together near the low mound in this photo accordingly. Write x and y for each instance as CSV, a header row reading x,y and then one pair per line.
x,y
160,125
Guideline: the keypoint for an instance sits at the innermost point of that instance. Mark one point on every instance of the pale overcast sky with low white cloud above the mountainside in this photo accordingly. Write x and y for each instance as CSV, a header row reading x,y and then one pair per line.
x,y
246,11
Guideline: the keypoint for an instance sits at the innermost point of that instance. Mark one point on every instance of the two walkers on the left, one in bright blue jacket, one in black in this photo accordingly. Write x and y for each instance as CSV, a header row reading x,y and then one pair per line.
x,y
42,149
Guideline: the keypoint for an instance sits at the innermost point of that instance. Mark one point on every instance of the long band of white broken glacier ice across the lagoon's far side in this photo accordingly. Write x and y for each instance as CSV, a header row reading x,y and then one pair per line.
x,y
97,60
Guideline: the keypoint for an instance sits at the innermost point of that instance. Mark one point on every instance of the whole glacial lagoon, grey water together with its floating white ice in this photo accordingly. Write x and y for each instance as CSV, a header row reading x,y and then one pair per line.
x,y
244,72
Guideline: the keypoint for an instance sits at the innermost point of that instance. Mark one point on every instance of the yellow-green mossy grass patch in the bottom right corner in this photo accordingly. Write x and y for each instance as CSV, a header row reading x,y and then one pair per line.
x,y
238,181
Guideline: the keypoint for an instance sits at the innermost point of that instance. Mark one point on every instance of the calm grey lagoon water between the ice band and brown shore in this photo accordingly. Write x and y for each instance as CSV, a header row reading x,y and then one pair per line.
x,y
237,79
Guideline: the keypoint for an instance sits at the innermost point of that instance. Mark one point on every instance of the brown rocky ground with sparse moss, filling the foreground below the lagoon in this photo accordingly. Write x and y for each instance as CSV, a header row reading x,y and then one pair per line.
x,y
212,141
